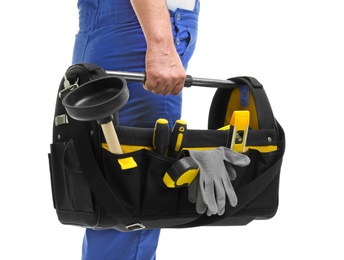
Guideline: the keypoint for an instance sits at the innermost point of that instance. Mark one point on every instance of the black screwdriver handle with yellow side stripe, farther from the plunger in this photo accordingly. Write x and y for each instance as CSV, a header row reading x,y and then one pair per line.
x,y
178,137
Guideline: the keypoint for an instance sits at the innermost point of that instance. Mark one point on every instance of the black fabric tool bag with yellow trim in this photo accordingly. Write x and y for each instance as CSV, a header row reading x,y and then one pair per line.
x,y
94,188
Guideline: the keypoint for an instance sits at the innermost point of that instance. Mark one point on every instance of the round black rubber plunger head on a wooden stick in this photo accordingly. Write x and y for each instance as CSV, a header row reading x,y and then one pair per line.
x,y
97,99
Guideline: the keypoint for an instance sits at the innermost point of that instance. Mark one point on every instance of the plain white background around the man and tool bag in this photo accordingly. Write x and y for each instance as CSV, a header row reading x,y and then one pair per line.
x,y
294,48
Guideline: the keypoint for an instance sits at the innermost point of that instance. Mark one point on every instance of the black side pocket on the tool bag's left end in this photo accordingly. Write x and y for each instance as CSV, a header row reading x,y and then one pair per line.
x,y
72,196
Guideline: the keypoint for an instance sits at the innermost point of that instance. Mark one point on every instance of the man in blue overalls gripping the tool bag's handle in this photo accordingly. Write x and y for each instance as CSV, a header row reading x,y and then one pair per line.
x,y
152,36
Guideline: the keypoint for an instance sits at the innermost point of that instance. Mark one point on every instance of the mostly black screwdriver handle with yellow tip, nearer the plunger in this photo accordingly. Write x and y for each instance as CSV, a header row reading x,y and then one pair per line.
x,y
161,136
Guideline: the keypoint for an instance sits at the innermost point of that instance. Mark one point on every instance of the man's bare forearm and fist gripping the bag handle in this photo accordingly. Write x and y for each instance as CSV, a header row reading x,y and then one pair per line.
x,y
164,71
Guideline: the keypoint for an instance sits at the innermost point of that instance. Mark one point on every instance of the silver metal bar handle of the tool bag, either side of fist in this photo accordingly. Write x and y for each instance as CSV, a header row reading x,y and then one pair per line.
x,y
190,81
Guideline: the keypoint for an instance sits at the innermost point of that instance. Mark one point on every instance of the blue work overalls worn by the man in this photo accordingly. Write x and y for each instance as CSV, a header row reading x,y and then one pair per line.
x,y
111,37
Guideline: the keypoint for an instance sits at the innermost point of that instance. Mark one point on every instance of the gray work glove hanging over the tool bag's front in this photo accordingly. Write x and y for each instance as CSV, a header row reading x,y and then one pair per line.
x,y
213,183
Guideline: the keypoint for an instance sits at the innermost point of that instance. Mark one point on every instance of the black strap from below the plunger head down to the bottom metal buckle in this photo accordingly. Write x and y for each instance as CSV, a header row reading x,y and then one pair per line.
x,y
95,178
